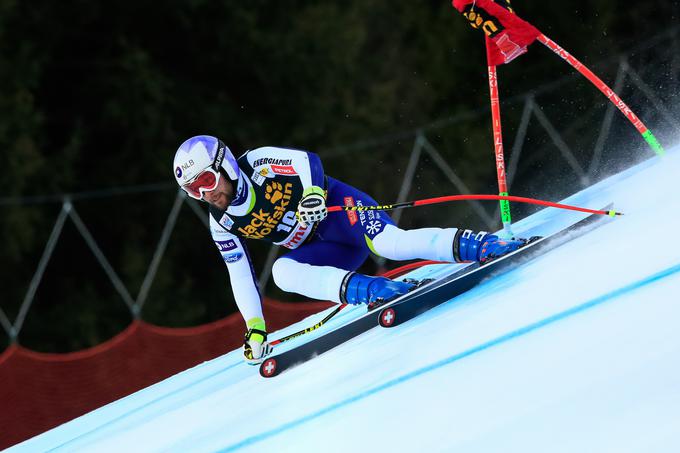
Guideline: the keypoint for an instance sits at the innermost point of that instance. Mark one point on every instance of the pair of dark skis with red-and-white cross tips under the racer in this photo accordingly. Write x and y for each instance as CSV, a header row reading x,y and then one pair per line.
x,y
418,301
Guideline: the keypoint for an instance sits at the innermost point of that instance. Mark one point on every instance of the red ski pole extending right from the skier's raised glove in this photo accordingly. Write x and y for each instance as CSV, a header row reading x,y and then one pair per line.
x,y
437,200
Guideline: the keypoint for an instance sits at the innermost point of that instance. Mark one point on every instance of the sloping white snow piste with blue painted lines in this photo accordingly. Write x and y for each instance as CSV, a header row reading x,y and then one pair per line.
x,y
575,351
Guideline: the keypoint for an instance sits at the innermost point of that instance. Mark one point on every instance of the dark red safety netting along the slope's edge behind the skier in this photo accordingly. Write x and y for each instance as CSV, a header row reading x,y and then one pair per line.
x,y
39,391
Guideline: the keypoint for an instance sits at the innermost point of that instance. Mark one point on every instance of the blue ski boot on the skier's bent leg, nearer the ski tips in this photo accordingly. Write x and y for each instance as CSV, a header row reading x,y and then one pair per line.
x,y
363,289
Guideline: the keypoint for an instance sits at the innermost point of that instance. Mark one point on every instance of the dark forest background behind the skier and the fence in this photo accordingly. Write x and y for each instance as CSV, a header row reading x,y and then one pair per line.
x,y
98,95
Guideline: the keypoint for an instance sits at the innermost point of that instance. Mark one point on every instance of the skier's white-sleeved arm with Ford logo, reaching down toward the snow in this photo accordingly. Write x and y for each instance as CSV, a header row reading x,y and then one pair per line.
x,y
241,273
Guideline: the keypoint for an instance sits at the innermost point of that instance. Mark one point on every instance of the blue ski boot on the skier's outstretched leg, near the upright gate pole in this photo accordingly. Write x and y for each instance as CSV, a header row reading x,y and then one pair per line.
x,y
482,247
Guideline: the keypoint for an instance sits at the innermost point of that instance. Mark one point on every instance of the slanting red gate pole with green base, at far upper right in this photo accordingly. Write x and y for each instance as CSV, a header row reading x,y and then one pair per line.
x,y
608,92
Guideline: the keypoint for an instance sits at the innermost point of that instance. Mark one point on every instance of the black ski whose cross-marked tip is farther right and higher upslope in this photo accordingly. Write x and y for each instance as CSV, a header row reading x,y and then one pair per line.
x,y
460,282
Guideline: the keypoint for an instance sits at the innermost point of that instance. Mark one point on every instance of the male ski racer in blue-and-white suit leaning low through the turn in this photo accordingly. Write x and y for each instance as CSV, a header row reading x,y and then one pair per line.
x,y
280,195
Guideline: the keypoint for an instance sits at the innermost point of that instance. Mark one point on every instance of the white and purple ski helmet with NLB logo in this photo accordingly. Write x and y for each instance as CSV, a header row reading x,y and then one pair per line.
x,y
200,153
